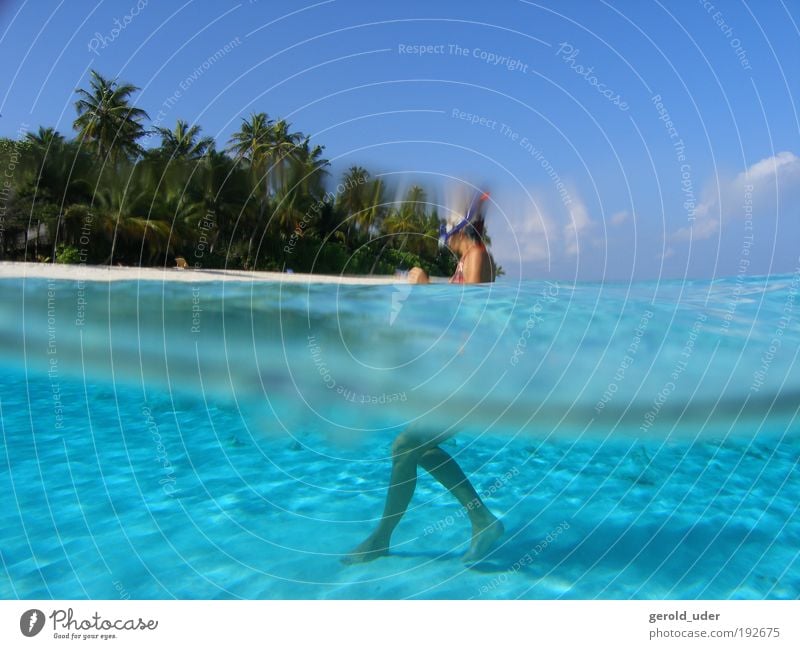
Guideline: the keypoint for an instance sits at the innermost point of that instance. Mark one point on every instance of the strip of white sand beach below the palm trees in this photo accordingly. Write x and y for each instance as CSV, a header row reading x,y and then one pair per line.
x,y
119,273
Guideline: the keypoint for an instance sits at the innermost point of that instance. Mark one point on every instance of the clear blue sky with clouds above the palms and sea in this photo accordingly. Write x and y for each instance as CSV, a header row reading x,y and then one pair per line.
x,y
561,109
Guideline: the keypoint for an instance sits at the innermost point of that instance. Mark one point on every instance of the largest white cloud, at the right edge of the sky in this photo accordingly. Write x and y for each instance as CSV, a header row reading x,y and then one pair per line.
x,y
766,180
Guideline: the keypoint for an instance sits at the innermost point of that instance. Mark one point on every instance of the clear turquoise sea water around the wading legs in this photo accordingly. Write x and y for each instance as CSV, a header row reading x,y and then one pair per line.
x,y
231,440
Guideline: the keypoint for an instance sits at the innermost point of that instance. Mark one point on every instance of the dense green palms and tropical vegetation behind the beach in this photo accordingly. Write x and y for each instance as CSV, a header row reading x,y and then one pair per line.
x,y
260,202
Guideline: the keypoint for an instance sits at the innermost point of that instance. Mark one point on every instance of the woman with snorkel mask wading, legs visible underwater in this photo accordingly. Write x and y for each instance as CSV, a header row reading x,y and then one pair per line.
x,y
413,447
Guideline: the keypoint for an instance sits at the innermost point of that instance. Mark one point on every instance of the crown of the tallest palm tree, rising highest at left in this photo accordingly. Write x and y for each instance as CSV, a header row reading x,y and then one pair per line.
x,y
107,121
